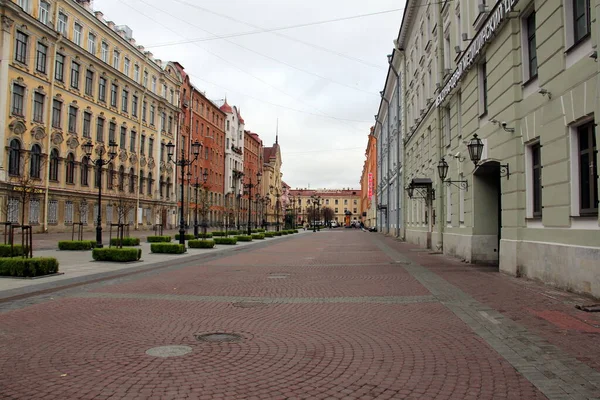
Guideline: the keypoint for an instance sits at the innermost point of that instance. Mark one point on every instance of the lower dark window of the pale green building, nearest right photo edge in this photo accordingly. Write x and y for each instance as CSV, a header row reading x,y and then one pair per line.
x,y
588,169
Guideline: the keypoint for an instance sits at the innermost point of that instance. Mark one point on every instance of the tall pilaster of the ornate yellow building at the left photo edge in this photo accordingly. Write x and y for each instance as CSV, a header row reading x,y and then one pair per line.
x,y
7,24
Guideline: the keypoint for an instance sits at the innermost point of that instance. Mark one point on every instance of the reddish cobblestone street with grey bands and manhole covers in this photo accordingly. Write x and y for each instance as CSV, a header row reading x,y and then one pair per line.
x,y
339,314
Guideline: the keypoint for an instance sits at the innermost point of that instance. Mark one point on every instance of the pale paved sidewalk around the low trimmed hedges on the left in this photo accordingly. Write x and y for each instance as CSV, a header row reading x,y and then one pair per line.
x,y
78,267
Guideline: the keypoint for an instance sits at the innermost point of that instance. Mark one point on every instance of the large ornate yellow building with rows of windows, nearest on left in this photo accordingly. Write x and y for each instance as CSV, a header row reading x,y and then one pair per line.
x,y
69,77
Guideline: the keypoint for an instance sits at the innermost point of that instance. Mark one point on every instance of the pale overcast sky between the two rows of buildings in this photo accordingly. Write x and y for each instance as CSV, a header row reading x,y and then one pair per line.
x,y
321,81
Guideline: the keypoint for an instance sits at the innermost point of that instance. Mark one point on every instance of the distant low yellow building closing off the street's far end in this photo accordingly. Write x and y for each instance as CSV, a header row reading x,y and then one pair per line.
x,y
345,204
